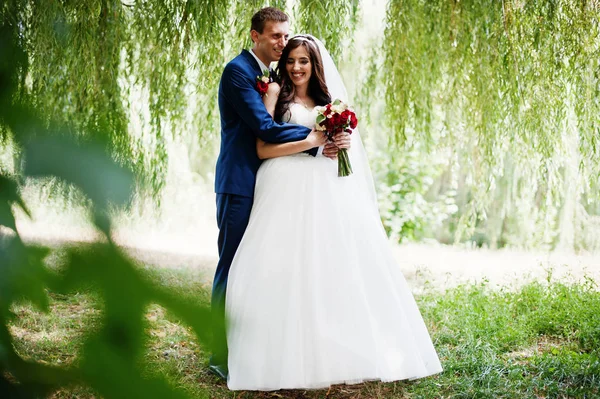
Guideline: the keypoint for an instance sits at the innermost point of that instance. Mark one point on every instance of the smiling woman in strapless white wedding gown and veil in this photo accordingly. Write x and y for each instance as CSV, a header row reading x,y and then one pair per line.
x,y
314,295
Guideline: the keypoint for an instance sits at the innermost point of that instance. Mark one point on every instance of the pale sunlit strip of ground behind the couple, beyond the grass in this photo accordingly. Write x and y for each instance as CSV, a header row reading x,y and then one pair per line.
x,y
436,266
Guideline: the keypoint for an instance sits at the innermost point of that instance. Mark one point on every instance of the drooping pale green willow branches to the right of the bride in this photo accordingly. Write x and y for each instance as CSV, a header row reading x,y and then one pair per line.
x,y
508,94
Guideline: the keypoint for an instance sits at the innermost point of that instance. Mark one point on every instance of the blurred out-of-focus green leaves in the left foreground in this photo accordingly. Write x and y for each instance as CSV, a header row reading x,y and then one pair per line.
x,y
111,354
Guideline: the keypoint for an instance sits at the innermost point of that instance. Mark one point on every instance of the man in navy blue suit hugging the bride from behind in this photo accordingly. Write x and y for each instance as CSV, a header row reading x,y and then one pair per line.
x,y
243,119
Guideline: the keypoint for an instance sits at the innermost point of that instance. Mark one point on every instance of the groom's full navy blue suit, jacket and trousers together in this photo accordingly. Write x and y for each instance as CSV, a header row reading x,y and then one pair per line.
x,y
243,119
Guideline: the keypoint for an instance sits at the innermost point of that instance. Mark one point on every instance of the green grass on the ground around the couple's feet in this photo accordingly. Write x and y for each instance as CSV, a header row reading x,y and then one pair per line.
x,y
539,341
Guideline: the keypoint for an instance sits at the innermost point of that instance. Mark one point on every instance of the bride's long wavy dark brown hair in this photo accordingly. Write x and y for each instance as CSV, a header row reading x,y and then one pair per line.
x,y
317,89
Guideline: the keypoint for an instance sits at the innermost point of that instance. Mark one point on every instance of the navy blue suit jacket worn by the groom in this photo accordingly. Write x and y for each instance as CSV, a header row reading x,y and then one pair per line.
x,y
243,119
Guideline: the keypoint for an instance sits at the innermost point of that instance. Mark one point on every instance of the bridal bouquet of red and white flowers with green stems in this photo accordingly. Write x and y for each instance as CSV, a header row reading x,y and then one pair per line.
x,y
335,118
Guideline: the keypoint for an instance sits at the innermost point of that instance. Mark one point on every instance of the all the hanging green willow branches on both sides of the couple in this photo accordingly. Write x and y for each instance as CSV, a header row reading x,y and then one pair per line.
x,y
504,92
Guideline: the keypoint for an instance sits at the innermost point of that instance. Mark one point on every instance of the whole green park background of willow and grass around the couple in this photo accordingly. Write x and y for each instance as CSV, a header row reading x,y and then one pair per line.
x,y
481,122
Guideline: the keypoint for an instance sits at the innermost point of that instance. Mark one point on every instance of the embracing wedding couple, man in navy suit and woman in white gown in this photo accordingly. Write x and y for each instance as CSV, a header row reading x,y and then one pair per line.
x,y
307,292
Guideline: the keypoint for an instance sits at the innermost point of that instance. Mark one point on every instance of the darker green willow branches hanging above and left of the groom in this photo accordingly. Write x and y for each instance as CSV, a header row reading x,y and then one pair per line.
x,y
145,70
